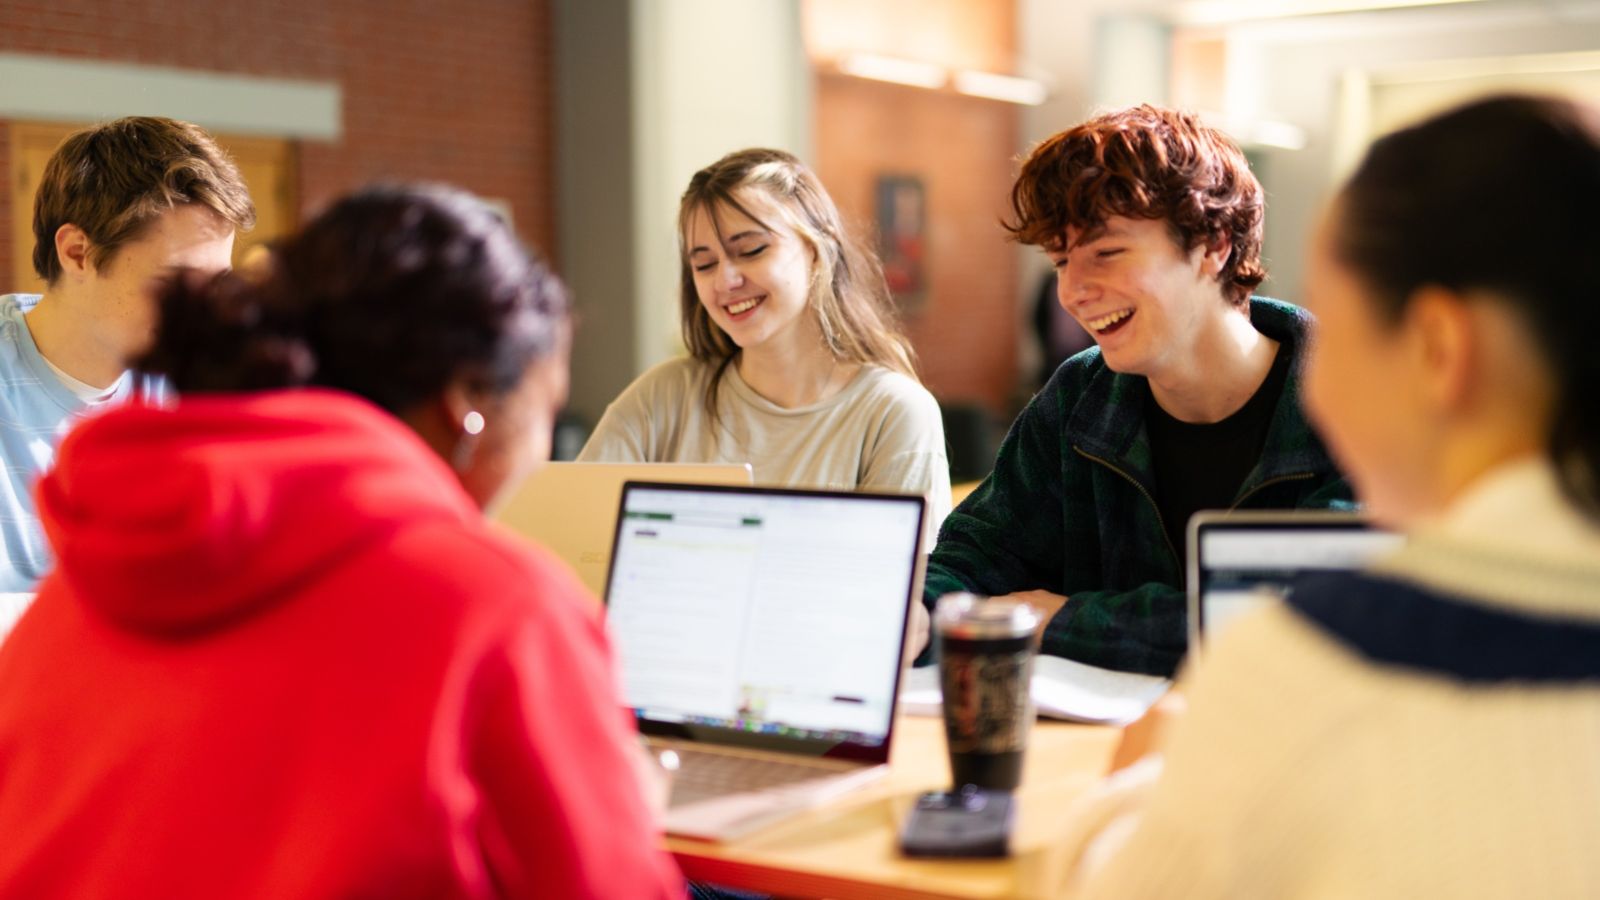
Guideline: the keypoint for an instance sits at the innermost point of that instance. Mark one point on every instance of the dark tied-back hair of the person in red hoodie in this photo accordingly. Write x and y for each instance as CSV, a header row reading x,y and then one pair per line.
x,y
391,294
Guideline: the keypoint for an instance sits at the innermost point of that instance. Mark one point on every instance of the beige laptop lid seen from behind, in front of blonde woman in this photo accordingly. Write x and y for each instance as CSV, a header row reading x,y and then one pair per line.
x,y
570,508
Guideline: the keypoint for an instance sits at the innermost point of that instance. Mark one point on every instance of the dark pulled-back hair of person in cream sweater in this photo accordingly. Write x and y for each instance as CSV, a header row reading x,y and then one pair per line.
x,y
1500,196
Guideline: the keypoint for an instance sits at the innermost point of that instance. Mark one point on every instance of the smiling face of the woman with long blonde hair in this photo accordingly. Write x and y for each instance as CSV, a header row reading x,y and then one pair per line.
x,y
753,279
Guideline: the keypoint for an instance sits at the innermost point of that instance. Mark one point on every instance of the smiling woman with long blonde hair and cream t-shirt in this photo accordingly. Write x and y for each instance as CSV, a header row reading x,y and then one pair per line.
x,y
796,363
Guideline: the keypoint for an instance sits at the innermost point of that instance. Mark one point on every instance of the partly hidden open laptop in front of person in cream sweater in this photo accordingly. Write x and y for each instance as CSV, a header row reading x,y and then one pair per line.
x,y
1242,560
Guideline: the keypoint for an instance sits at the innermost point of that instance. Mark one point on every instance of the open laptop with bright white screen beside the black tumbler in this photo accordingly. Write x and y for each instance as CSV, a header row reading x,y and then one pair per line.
x,y
759,635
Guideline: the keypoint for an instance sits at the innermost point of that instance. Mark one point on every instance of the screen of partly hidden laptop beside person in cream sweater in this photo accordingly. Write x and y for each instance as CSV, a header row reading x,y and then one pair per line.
x,y
1242,568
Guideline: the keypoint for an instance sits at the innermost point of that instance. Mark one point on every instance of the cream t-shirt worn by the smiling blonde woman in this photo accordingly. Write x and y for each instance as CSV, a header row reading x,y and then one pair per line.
x,y
882,432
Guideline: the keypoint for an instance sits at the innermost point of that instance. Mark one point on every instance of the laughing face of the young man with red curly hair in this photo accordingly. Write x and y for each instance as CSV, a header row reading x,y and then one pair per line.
x,y
1142,297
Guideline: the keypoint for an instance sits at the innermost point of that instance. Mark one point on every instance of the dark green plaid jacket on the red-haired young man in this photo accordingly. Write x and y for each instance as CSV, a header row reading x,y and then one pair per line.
x,y
1071,508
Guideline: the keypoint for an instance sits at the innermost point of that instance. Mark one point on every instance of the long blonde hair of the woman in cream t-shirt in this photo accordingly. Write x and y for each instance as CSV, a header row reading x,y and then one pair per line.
x,y
849,295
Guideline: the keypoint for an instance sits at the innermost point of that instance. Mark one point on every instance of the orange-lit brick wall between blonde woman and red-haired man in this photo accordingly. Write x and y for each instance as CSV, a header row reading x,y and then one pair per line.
x,y
962,151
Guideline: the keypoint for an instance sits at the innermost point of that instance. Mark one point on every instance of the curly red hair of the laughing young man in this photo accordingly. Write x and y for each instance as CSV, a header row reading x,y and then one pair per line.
x,y
1145,164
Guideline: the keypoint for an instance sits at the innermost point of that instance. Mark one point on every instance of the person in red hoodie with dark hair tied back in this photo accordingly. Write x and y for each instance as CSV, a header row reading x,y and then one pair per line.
x,y
284,654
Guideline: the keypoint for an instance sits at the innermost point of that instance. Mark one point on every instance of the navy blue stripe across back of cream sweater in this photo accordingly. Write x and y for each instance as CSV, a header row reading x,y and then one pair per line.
x,y
1398,624
